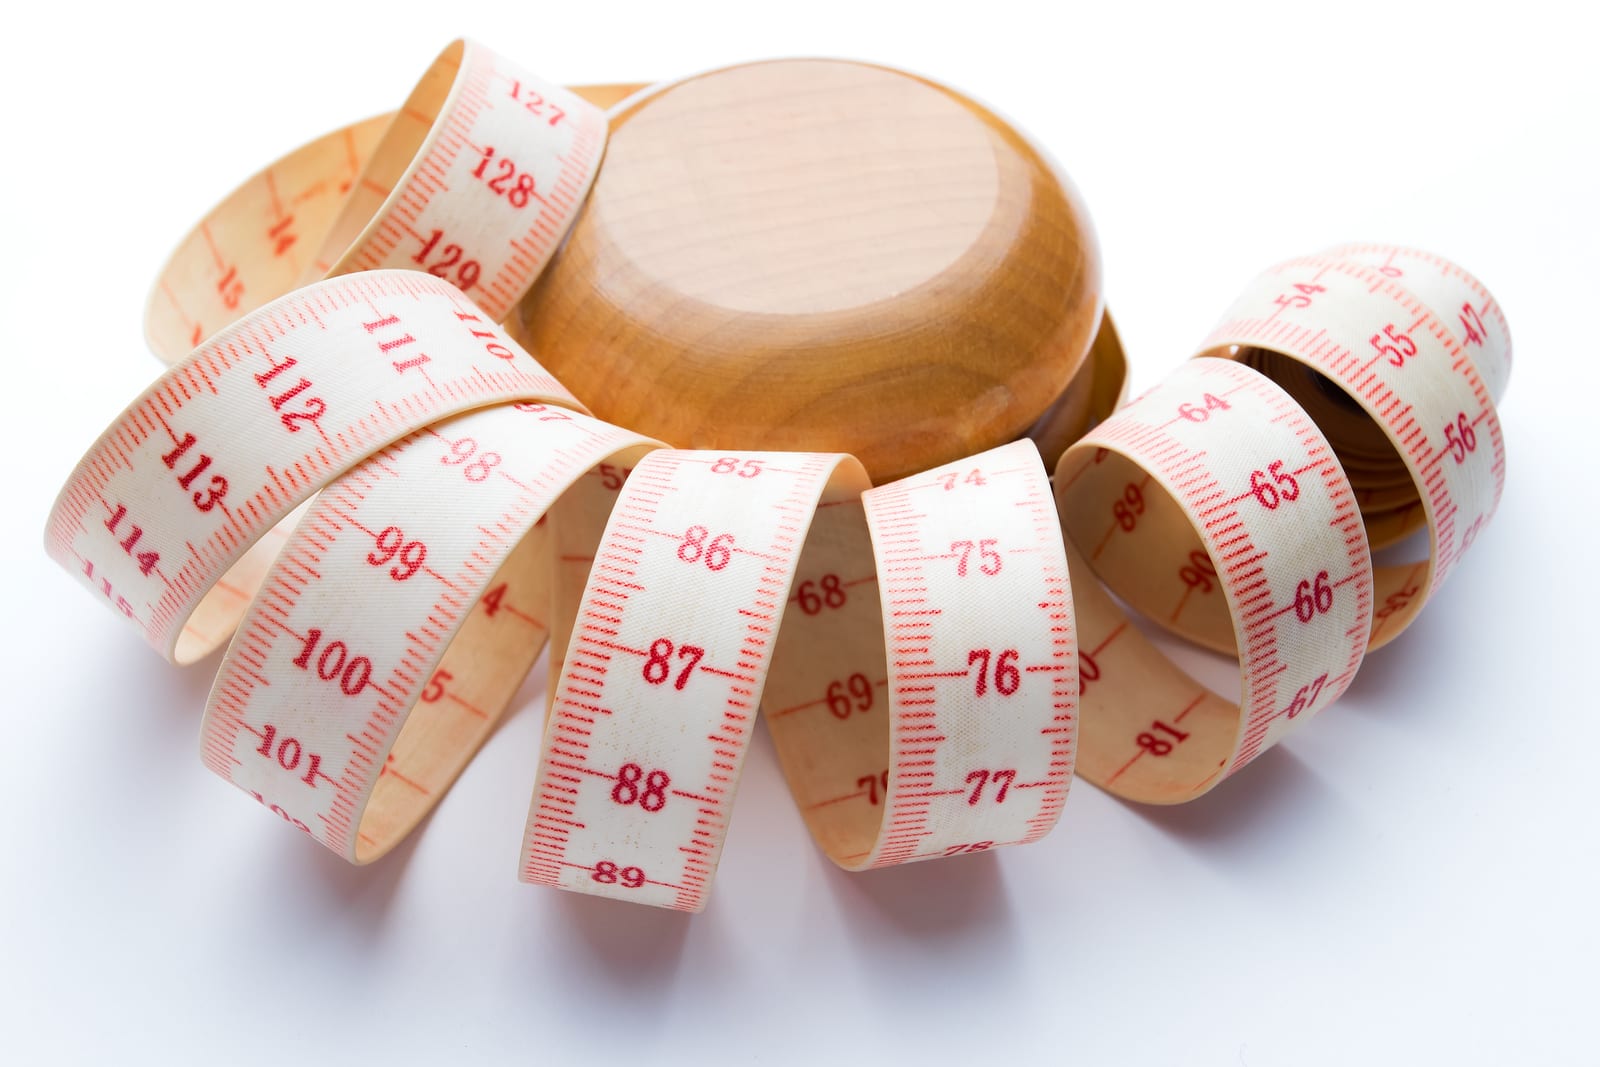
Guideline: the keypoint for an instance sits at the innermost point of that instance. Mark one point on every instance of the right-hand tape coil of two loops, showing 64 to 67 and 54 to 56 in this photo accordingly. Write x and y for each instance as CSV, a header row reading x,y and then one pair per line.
x,y
1228,518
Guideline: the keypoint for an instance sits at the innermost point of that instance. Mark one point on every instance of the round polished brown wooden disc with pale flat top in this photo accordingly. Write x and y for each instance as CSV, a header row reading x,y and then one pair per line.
x,y
822,255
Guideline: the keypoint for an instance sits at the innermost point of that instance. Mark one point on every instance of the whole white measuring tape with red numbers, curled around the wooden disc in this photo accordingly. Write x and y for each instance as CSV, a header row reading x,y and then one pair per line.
x,y
919,649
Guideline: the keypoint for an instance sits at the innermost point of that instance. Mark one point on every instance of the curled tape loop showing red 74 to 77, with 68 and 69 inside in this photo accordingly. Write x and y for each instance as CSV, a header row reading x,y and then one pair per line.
x,y
974,745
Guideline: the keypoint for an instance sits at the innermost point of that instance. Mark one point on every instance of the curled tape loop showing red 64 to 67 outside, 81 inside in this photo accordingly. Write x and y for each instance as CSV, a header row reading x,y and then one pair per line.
x,y
1214,474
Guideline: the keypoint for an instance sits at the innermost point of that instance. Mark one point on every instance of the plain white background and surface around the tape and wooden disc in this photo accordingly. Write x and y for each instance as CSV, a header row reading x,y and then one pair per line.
x,y
1415,879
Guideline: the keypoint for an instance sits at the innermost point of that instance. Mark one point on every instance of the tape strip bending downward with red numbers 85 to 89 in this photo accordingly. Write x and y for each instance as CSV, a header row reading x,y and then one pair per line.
x,y
663,677
